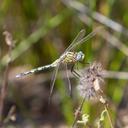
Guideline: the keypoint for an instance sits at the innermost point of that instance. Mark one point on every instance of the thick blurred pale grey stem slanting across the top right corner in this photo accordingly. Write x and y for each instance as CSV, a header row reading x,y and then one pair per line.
x,y
86,12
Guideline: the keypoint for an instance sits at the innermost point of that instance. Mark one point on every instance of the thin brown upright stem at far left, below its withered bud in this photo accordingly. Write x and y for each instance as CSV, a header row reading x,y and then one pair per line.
x,y
4,86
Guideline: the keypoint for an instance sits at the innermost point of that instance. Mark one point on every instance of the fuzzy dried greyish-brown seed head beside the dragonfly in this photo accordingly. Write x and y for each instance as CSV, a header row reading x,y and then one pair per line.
x,y
89,82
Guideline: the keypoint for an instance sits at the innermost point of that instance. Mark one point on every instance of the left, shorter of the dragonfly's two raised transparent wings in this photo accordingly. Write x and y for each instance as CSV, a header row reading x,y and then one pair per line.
x,y
79,36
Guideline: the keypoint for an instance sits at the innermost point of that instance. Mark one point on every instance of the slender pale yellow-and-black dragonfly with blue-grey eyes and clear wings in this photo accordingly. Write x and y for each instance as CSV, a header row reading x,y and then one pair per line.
x,y
68,57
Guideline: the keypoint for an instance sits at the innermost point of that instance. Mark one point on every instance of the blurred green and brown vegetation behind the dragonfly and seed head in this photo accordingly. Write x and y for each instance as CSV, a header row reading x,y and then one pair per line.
x,y
42,30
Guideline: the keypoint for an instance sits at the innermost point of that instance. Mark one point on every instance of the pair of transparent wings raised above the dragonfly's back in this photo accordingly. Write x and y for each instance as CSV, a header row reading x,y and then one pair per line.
x,y
78,40
